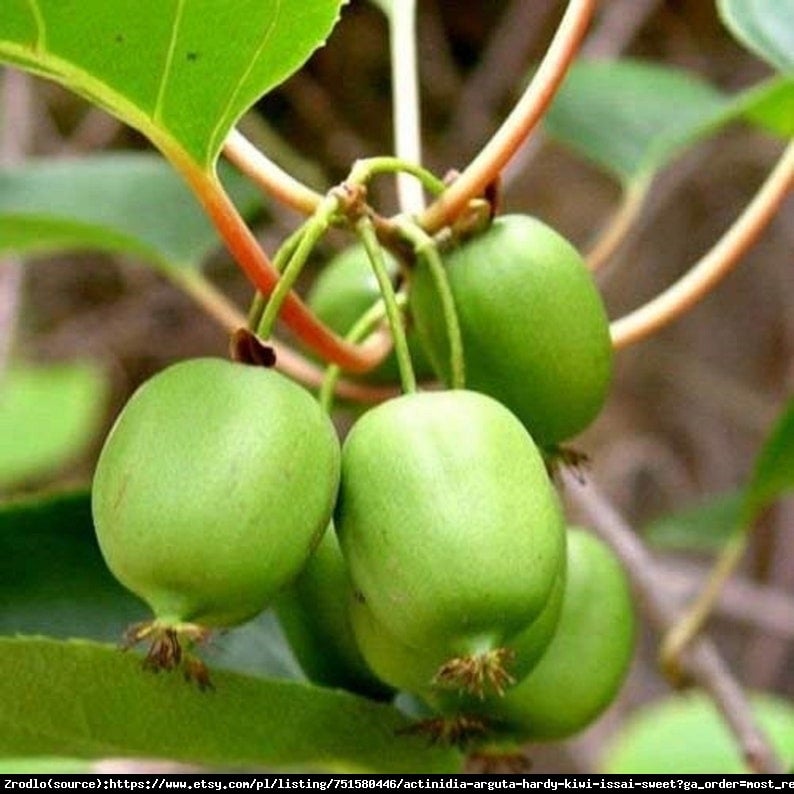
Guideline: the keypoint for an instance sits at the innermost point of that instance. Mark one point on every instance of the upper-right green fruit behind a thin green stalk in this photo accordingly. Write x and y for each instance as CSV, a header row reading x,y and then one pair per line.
x,y
535,331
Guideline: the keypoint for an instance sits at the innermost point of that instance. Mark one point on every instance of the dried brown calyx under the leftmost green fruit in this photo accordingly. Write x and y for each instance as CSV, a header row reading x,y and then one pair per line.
x,y
169,646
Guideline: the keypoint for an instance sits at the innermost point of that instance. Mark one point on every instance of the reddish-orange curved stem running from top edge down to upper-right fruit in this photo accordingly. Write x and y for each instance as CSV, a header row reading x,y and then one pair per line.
x,y
529,109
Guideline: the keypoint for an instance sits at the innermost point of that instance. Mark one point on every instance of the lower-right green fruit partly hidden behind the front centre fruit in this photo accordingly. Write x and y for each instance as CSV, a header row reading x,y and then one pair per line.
x,y
586,661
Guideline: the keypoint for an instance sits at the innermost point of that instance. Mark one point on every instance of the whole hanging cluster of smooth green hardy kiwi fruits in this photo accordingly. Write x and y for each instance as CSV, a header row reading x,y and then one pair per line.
x,y
448,571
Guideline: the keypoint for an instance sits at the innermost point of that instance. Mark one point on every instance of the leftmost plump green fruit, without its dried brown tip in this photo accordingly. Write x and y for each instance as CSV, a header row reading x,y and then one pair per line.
x,y
213,486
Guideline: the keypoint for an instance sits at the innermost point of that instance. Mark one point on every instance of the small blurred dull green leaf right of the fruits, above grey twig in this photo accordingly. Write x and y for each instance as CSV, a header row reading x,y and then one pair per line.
x,y
702,527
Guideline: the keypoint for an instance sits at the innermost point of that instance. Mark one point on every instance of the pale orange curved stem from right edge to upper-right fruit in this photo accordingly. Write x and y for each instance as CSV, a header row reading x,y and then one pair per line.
x,y
714,265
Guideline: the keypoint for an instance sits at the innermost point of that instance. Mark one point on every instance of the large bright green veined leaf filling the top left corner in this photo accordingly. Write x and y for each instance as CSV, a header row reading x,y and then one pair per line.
x,y
180,72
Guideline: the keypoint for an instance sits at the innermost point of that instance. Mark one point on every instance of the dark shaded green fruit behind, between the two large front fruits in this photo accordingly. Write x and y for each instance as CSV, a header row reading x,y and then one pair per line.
x,y
313,612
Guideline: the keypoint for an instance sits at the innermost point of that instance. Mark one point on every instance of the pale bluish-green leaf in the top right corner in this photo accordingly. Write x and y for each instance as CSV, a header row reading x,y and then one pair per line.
x,y
765,27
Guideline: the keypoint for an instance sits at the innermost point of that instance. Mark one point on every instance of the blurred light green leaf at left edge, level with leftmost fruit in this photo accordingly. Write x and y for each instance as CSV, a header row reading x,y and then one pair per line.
x,y
48,414
